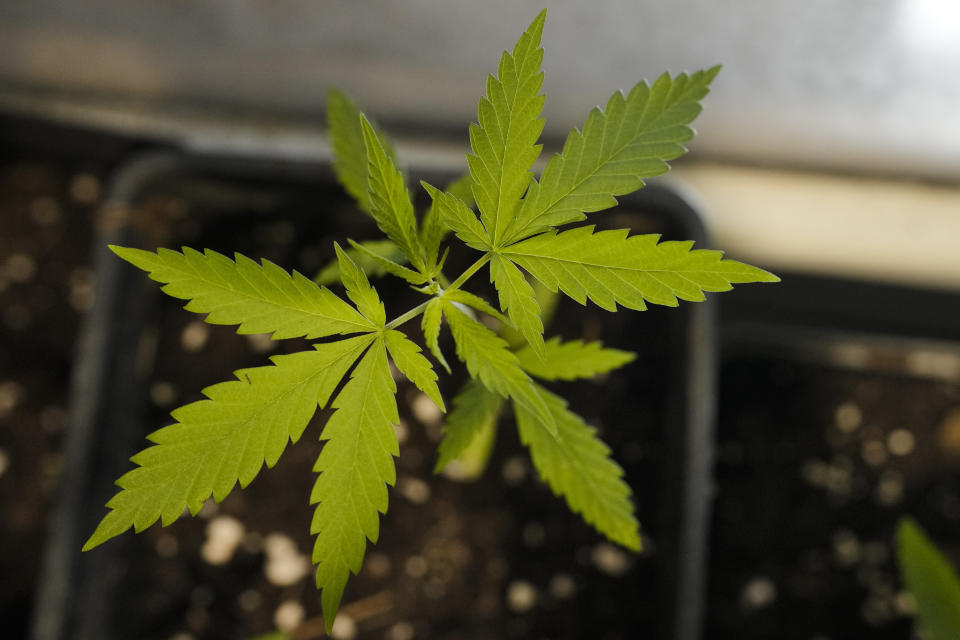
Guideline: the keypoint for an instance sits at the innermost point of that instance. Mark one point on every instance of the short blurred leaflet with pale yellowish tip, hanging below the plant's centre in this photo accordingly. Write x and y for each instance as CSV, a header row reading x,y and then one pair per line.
x,y
475,415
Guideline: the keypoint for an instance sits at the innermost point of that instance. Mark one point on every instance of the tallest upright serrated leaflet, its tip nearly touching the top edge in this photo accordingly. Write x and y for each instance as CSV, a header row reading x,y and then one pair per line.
x,y
504,142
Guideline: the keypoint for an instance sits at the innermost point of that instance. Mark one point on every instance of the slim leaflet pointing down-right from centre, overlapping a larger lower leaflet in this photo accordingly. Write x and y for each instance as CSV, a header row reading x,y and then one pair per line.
x,y
490,361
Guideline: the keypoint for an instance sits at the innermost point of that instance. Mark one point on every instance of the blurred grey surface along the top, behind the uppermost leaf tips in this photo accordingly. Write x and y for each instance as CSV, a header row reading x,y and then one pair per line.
x,y
862,85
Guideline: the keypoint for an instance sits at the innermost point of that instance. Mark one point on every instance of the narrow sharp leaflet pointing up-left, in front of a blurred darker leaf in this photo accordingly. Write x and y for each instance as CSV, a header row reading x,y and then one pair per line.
x,y
390,203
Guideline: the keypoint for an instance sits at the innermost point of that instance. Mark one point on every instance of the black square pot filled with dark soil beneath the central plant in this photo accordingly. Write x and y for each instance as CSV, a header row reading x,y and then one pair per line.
x,y
445,567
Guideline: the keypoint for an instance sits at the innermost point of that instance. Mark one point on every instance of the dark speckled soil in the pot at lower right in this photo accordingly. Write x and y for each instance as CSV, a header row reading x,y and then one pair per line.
x,y
814,470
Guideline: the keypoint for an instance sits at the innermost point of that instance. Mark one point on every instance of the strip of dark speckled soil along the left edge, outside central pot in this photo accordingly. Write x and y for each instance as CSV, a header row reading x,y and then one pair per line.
x,y
45,288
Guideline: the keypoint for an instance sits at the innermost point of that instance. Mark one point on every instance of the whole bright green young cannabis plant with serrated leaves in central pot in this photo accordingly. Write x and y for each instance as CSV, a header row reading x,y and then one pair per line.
x,y
247,422
